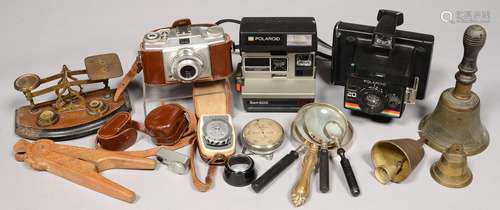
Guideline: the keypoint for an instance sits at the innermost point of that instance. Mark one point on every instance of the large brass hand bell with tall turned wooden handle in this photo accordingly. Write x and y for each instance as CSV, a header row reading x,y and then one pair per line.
x,y
456,118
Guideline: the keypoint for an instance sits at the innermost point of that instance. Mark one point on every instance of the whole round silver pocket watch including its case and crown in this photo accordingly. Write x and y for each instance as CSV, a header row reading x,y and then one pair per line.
x,y
262,136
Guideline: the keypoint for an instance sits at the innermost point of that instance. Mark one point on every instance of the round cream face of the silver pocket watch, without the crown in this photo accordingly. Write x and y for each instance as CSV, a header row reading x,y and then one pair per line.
x,y
263,133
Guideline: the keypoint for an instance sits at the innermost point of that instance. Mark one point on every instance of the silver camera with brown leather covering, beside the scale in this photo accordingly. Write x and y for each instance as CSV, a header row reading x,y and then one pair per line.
x,y
186,53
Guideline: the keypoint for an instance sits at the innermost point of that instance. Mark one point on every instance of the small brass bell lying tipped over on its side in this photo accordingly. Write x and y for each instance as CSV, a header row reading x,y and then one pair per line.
x,y
394,160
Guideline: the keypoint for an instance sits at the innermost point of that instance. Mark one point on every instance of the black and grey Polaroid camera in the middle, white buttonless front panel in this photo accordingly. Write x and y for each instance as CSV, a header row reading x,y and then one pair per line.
x,y
277,72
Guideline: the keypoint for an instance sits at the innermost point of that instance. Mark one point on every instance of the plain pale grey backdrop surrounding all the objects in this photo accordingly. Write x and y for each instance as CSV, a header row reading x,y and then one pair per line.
x,y
40,36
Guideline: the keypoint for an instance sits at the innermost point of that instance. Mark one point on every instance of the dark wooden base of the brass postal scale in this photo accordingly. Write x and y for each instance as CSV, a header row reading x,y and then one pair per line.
x,y
70,124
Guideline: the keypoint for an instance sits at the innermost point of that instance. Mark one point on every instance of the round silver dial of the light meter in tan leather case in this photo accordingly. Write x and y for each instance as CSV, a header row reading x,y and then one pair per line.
x,y
217,132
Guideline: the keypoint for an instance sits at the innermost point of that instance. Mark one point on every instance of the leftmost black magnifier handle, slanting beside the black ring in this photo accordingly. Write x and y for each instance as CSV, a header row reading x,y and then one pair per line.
x,y
274,171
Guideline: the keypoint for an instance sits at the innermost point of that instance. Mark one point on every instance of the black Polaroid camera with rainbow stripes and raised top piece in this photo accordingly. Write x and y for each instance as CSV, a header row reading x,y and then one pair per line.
x,y
381,68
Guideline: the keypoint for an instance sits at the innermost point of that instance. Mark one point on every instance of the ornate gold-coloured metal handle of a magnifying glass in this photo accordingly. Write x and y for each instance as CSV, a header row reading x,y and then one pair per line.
x,y
300,191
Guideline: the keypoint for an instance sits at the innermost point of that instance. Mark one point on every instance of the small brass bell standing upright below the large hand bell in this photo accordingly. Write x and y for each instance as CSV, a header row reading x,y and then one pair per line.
x,y
452,170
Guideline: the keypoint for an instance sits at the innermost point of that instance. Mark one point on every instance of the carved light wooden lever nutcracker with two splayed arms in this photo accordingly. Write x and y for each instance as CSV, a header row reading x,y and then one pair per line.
x,y
82,165
